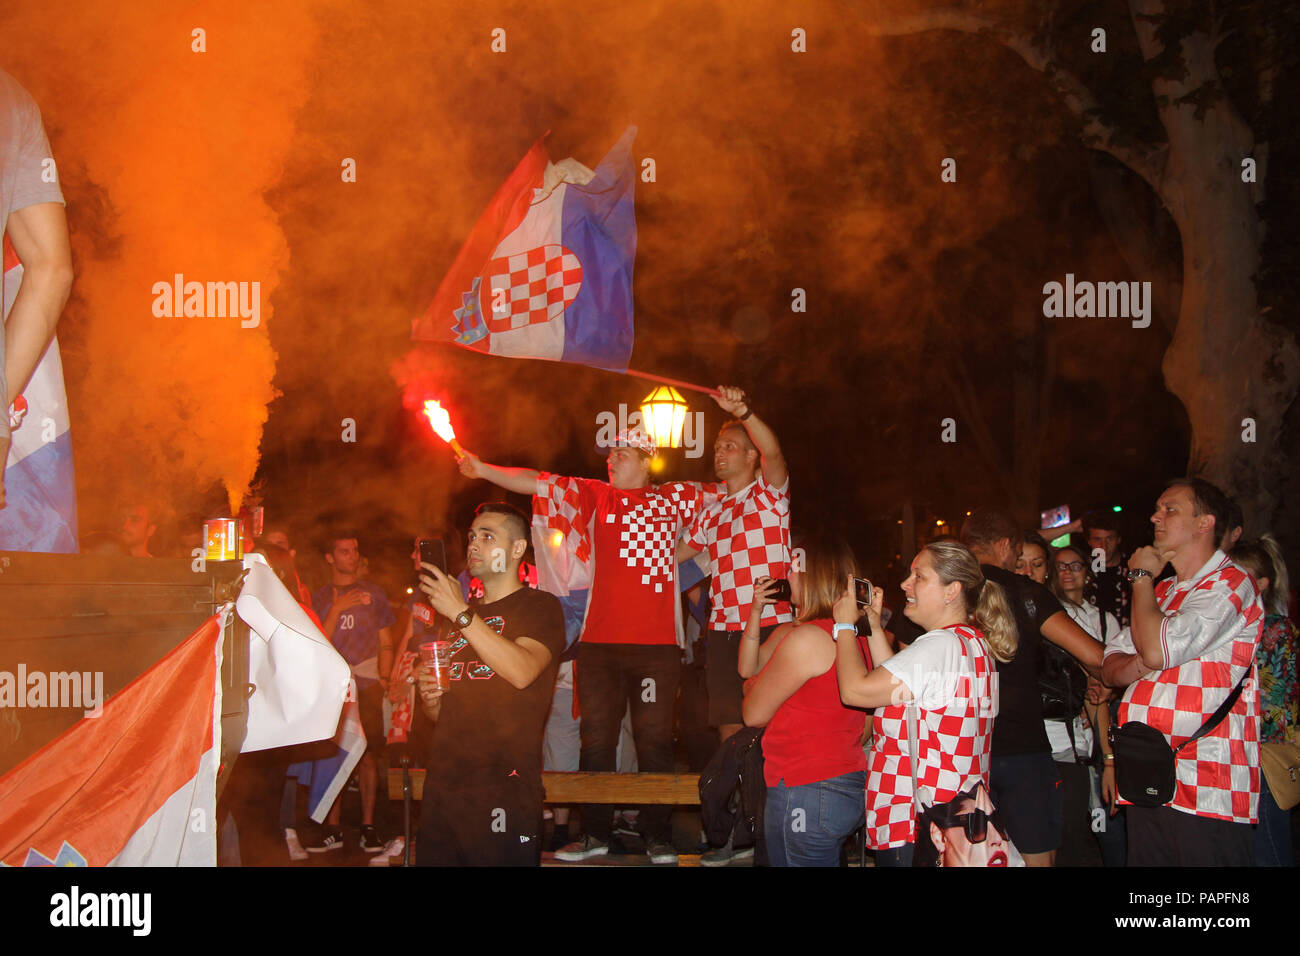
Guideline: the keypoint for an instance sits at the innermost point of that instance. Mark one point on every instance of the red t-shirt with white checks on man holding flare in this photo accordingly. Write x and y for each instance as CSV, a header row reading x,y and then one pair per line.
x,y
635,546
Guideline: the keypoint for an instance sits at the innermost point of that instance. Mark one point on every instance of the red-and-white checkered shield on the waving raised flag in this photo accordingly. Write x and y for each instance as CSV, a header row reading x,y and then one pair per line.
x,y
539,284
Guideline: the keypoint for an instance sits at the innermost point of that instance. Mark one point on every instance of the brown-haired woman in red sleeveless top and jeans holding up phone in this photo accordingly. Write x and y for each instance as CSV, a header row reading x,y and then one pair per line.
x,y
813,760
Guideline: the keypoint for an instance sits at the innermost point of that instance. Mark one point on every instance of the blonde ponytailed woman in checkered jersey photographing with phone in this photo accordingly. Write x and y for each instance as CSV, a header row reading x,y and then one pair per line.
x,y
946,678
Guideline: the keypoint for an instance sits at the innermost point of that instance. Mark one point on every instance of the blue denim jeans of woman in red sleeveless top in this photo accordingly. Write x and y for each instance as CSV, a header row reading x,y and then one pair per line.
x,y
807,827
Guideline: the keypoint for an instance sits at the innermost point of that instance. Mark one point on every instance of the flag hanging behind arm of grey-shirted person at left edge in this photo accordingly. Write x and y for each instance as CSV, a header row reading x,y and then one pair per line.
x,y
40,485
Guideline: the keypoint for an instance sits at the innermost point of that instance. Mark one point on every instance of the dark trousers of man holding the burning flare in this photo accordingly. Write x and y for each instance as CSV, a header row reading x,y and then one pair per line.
x,y
610,678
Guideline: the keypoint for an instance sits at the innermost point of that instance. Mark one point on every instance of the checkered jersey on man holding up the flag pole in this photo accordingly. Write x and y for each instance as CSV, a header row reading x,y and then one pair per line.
x,y
748,537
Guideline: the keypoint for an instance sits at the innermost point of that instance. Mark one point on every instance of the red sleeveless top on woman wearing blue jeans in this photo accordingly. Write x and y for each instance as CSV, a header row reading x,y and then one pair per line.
x,y
814,737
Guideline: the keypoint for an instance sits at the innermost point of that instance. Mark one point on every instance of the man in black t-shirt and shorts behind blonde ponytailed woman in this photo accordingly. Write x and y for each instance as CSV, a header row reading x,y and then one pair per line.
x,y
1024,780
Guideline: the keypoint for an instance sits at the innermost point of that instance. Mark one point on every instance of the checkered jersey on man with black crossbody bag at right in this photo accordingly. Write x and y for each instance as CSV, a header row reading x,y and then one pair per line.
x,y
1211,630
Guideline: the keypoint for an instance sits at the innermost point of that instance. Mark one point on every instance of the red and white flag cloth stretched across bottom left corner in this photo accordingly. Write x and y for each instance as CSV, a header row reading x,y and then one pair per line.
x,y
136,786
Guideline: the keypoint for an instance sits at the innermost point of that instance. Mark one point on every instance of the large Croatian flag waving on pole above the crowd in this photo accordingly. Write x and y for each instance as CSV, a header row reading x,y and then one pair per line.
x,y
547,272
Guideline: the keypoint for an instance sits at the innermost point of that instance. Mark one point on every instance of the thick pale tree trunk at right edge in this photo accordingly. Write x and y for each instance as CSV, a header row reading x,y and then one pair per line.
x,y
1227,362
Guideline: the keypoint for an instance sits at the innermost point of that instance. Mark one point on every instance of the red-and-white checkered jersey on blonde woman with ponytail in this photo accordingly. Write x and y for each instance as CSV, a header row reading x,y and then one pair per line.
x,y
954,680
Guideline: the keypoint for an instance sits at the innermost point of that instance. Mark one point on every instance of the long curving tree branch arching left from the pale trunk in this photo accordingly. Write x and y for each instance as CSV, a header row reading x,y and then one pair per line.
x,y
1147,161
